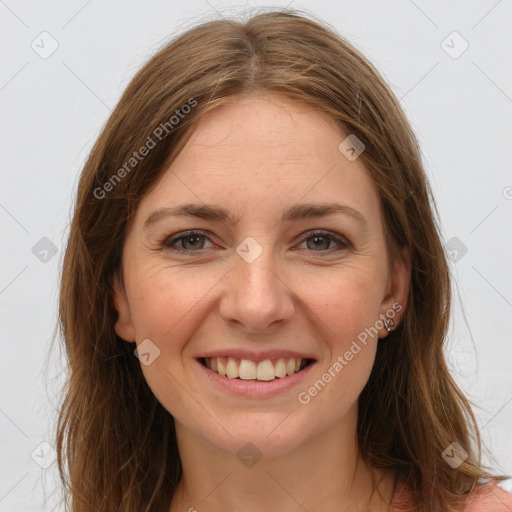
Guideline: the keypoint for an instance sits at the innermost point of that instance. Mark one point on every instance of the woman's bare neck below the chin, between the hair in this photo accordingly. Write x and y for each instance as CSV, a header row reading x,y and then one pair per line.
x,y
326,473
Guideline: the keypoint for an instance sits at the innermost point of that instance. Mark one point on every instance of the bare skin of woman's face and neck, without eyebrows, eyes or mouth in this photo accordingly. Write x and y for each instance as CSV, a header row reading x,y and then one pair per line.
x,y
257,156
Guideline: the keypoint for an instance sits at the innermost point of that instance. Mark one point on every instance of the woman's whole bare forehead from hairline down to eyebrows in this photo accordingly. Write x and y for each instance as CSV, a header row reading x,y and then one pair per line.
x,y
258,152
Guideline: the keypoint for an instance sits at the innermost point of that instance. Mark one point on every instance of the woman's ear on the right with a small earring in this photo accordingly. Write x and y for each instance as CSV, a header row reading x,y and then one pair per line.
x,y
397,289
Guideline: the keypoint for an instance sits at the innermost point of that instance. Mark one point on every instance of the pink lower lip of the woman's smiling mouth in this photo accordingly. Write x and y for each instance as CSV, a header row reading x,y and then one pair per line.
x,y
256,388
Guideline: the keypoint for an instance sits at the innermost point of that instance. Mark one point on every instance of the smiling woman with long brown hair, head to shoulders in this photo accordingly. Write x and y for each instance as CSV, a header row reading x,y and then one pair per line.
x,y
255,297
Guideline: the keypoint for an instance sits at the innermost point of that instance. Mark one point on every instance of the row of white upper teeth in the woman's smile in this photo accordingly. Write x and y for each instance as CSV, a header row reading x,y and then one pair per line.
x,y
246,369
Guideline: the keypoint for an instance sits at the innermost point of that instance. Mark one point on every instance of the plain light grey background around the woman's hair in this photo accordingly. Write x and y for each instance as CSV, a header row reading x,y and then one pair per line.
x,y
52,110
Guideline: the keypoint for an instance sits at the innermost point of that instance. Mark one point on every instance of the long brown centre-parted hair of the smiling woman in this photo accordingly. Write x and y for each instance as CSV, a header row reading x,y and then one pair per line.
x,y
116,443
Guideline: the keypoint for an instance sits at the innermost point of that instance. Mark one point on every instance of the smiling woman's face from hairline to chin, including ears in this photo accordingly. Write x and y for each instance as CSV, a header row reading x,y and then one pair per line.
x,y
270,281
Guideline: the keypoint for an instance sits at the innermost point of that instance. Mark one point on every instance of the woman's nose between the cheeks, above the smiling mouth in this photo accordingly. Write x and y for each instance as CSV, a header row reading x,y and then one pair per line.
x,y
256,298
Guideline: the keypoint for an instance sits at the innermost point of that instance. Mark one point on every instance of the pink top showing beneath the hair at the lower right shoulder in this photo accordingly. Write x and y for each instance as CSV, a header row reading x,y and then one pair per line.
x,y
487,497
